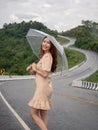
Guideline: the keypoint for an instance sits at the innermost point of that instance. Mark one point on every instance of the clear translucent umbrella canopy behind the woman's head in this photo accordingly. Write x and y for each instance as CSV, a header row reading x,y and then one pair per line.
x,y
35,37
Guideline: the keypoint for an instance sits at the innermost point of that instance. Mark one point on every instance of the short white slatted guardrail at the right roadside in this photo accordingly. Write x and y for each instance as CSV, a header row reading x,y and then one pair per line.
x,y
85,84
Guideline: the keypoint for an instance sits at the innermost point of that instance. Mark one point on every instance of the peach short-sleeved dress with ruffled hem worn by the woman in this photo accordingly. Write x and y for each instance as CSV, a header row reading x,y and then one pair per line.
x,y
43,92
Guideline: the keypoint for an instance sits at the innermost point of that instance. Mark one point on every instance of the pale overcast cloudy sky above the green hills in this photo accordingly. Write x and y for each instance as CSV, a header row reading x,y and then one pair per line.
x,y
58,15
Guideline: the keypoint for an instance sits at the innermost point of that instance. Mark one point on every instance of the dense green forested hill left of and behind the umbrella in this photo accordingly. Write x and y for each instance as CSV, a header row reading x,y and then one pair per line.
x,y
15,52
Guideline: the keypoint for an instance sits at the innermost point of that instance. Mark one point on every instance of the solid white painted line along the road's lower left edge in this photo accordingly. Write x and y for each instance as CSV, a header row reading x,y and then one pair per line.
x,y
15,113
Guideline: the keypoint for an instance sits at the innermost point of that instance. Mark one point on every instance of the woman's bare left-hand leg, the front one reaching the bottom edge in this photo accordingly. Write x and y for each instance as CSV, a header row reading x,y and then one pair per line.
x,y
35,115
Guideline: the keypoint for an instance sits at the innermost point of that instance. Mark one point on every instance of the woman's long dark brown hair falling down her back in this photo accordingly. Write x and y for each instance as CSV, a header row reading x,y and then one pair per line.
x,y
53,52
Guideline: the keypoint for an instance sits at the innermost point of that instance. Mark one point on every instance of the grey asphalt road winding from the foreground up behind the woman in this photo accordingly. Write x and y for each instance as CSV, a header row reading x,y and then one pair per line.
x,y
74,108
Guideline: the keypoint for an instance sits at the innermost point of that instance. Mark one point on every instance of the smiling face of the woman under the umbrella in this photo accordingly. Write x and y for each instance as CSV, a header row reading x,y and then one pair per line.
x,y
46,45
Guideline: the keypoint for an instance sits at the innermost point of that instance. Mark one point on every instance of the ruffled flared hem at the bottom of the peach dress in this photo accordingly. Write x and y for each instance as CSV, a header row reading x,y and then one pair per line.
x,y
39,104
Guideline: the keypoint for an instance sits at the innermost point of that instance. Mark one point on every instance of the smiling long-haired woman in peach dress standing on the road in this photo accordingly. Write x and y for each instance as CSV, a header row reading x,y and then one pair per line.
x,y
41,101
